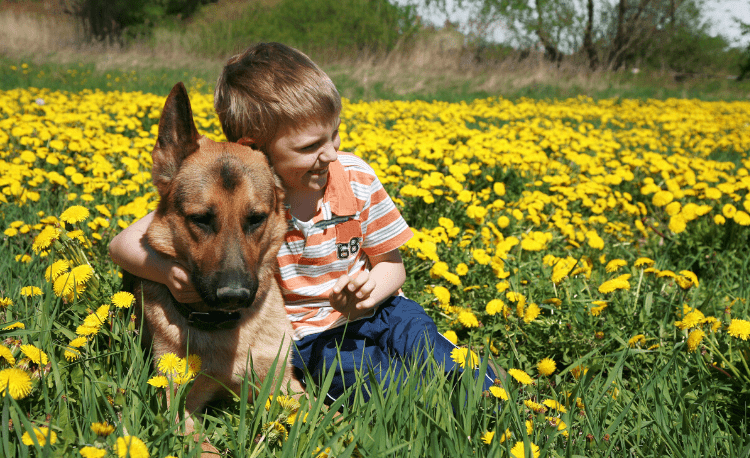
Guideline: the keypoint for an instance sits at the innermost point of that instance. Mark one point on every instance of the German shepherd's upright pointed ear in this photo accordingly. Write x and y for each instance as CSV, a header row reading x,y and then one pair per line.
x,y
178,138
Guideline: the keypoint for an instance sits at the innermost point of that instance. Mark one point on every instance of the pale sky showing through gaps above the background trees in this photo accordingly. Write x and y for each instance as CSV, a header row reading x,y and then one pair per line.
x,y
719,12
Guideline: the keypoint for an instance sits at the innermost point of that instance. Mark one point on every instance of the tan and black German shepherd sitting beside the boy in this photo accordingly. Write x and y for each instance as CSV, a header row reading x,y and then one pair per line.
x,y
221,214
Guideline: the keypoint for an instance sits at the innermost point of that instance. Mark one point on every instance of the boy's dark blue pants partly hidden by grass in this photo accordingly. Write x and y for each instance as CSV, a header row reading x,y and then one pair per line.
x,y
394,336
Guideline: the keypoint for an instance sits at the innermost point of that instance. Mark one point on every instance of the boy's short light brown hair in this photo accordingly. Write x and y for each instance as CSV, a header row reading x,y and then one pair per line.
x,y
270,87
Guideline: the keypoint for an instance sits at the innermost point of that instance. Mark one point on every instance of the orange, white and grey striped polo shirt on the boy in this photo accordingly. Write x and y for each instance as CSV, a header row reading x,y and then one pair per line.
x,y
356,219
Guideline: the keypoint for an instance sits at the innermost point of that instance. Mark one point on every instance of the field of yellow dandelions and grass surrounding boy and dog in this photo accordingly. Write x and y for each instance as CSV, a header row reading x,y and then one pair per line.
x,y
597,249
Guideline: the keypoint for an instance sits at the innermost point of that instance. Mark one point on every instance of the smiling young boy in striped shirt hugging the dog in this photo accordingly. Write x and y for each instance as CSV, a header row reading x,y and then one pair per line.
x,y
340,270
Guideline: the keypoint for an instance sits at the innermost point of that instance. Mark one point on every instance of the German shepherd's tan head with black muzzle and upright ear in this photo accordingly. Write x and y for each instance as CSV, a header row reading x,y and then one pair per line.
x,y
221,211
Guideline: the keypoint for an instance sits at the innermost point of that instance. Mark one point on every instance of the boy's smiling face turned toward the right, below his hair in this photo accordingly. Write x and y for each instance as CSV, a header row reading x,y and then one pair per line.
x,y
300,155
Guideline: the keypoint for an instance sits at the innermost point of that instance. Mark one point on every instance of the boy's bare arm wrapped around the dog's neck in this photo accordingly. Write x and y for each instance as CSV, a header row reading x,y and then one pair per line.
x,y
130,251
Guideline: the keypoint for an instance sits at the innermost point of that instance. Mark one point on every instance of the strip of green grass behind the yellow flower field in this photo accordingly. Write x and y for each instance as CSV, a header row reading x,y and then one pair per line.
x,y
85,75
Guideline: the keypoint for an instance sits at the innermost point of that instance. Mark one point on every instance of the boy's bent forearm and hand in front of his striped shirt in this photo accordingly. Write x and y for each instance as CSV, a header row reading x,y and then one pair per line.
x,y
355,297
